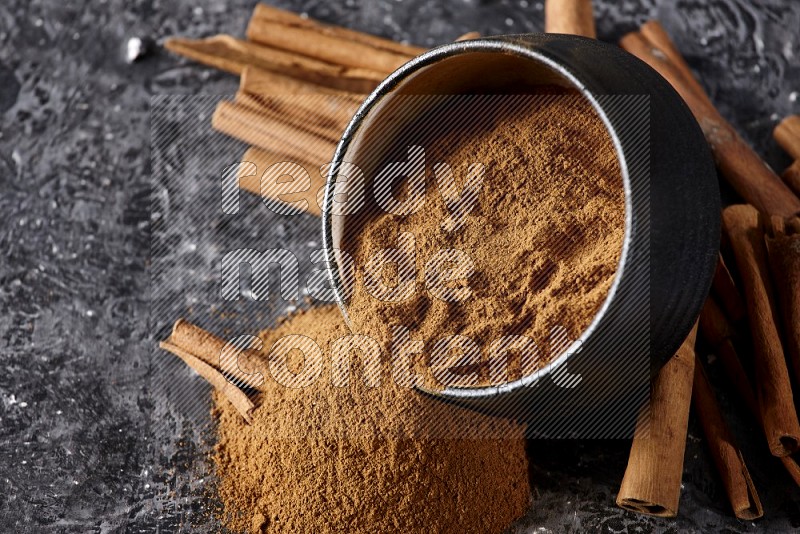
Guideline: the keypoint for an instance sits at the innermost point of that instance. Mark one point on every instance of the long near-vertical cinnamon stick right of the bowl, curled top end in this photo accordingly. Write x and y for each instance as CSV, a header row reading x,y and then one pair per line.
x,y
773,388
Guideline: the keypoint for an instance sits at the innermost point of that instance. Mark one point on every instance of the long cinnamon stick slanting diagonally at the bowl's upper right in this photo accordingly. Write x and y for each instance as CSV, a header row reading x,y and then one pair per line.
x,y
742,167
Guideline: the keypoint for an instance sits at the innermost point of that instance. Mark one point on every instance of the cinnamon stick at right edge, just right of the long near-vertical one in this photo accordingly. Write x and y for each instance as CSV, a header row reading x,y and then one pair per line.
x,y
783,247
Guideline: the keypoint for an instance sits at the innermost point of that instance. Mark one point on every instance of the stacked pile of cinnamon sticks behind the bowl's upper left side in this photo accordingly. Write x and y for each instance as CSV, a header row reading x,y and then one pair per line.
x,y
300,83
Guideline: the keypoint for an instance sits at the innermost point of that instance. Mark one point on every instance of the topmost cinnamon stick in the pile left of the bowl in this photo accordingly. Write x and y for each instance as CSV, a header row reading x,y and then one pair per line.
x,y
264,12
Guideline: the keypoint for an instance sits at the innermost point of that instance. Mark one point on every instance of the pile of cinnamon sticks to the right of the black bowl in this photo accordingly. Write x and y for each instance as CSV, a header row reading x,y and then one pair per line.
x,y
755,308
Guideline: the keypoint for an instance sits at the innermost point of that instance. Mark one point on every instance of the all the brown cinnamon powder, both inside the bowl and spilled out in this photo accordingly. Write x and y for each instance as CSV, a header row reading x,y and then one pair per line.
x,y
545,238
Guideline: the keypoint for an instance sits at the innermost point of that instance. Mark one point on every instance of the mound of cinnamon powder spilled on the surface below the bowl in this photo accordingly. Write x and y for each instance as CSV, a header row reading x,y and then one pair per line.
x,y
353,458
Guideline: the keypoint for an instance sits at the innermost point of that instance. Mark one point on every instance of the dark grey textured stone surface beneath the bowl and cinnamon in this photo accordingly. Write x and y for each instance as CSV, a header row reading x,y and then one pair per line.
x,y
98,432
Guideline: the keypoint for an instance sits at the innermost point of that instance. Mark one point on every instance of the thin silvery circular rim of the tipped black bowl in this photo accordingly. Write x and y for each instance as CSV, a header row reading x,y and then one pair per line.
x,y
505,44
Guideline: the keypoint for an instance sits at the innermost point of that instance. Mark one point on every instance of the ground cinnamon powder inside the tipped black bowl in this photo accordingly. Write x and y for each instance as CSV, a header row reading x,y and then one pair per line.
x,y
544,235
